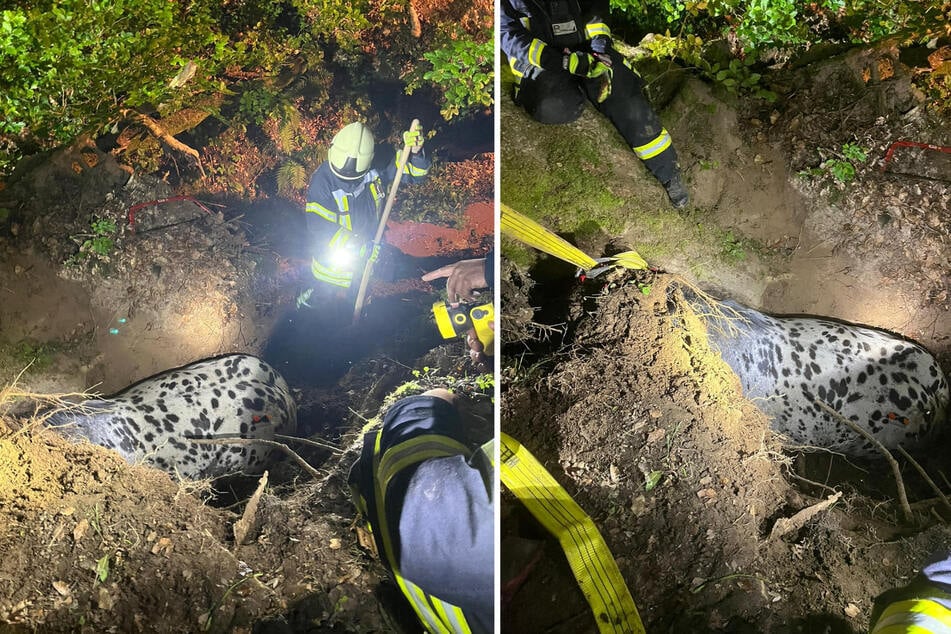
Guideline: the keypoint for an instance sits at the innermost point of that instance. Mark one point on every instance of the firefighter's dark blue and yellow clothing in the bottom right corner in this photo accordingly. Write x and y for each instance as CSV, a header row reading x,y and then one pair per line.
x,y
922,607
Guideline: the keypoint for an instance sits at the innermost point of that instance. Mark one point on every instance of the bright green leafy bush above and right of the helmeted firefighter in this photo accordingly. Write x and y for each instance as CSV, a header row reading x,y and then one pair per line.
x,y
462,69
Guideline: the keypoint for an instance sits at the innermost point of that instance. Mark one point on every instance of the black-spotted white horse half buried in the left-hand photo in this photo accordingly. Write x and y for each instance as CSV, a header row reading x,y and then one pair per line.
x,y
151,422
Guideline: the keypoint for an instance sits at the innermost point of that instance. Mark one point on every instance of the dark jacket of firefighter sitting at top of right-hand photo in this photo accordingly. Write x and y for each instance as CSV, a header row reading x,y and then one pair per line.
x,y
535,33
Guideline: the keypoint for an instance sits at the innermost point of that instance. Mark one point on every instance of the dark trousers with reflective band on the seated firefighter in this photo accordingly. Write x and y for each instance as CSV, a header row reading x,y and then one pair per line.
x,y
557,97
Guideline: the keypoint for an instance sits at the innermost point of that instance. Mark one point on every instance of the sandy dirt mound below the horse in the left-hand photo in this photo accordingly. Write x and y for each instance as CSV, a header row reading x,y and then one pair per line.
x,y
88,543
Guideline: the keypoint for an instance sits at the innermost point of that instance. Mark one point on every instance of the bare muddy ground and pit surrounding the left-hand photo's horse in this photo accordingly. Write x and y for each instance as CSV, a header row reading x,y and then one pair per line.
x,y
89,543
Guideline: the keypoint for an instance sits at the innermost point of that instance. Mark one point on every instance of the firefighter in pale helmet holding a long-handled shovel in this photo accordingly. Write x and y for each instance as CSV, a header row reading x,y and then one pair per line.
x,y
346,195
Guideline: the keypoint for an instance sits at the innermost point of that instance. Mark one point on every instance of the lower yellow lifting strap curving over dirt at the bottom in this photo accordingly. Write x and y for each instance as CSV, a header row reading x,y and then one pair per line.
x,y
588,555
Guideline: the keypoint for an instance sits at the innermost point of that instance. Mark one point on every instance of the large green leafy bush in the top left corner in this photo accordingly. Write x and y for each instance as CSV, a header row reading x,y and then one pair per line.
x,y
71,66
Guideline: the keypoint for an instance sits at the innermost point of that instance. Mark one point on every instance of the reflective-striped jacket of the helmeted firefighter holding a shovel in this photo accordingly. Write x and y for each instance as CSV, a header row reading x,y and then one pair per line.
x,y
342,216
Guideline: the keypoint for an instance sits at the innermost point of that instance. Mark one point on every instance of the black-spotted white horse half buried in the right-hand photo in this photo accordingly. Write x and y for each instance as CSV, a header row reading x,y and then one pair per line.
x,y
891,387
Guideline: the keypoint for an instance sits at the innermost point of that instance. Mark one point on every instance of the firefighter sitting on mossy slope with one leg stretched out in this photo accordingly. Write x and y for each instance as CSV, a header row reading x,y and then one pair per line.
x,y
561,55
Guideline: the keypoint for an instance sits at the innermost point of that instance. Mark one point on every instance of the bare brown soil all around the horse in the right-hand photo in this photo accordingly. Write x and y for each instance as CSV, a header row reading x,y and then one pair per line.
x,y
649,431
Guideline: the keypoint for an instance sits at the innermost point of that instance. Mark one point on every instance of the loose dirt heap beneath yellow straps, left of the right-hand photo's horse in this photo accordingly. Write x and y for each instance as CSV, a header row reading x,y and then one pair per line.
x,y
648,430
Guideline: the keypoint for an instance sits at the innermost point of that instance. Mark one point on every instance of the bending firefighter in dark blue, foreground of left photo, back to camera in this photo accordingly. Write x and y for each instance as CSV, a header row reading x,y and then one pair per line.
x,y
428,500
